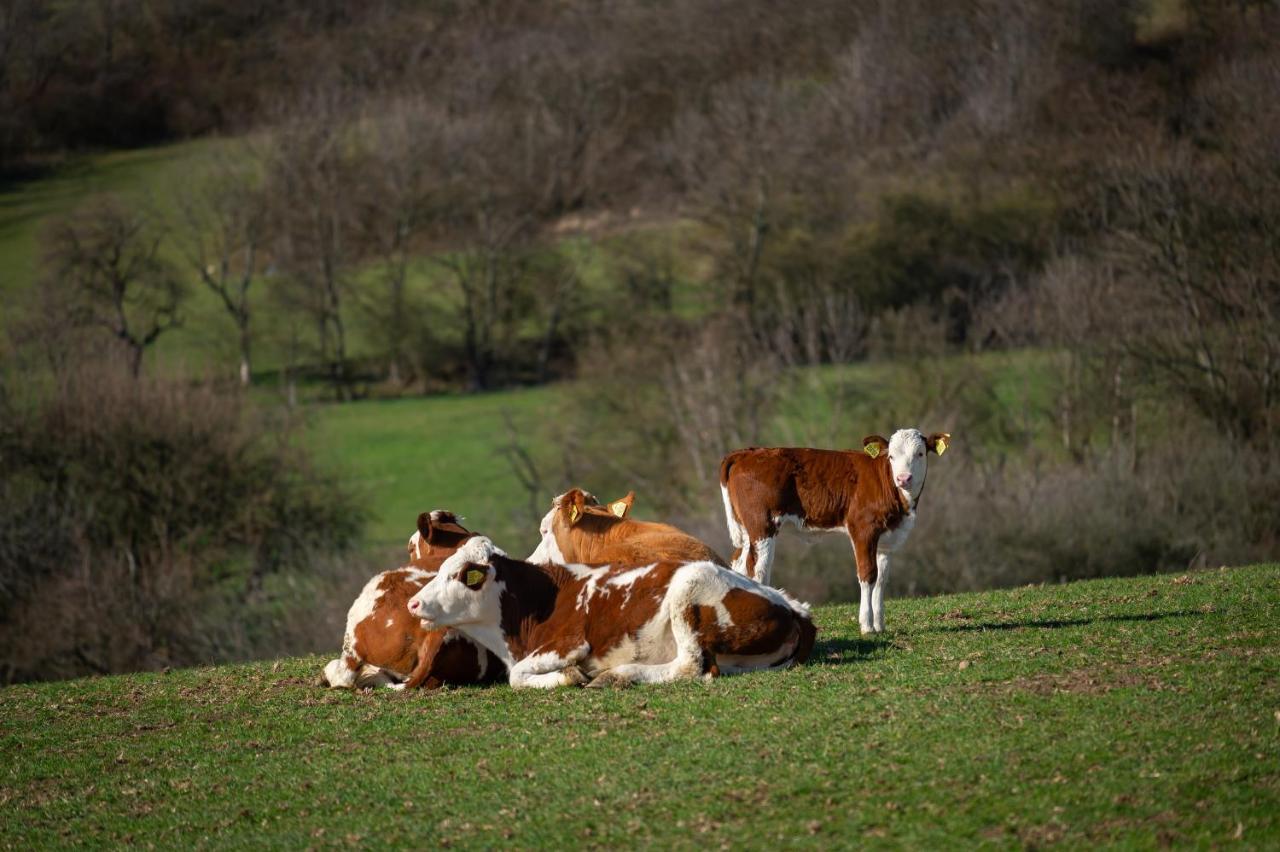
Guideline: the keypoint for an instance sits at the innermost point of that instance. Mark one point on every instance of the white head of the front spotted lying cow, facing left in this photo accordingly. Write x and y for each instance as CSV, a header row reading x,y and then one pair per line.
x,y
464,590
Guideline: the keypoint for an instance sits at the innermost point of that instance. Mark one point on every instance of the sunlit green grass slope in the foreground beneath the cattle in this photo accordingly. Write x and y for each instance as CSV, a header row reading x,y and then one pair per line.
x,y
1137,712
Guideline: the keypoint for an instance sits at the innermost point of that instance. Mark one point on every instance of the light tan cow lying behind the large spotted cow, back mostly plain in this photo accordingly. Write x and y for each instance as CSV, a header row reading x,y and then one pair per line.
x,y
580,530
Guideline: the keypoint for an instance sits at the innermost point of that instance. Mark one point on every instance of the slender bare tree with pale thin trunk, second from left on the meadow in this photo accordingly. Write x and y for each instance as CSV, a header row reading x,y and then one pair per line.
x,y
226,231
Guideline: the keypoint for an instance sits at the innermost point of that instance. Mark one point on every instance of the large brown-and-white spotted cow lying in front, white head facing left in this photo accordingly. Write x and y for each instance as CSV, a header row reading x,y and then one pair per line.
x,y
564,625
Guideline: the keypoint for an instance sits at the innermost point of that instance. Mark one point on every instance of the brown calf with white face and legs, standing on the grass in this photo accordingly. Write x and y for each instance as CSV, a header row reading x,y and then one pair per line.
x,y
871,496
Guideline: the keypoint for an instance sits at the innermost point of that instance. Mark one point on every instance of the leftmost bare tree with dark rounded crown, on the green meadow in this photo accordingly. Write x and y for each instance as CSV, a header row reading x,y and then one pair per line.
x,y
106,259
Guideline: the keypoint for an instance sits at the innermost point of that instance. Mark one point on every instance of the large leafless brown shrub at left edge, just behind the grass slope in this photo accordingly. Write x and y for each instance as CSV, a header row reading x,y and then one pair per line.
x,y
135,510
